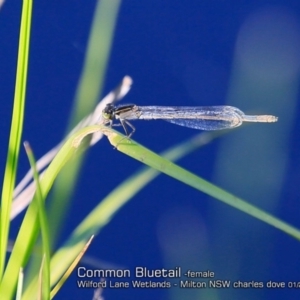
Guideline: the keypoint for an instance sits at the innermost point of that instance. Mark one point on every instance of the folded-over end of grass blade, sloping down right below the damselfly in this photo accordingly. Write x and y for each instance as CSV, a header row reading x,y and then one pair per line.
x,y
142,154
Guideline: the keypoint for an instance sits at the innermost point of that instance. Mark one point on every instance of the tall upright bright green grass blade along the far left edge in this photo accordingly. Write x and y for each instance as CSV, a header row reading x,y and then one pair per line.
x,y
16,130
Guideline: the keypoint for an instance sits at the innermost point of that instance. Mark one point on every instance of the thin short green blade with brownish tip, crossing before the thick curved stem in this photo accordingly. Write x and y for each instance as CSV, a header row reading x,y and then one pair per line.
x,y
43,222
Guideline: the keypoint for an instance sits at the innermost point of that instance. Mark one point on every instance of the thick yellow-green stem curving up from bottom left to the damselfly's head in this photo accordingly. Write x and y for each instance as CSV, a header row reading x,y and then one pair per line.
x,y
28,232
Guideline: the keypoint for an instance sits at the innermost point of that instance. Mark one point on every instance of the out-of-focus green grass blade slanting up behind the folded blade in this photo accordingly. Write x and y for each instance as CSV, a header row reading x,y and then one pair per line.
x,y
103,213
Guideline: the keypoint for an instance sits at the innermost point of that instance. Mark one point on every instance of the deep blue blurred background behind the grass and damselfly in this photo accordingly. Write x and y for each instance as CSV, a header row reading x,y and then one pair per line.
x,y
190,53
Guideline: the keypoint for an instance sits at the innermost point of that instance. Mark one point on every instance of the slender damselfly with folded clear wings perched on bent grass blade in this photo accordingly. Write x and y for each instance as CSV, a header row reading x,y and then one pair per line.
x,y
197,117
